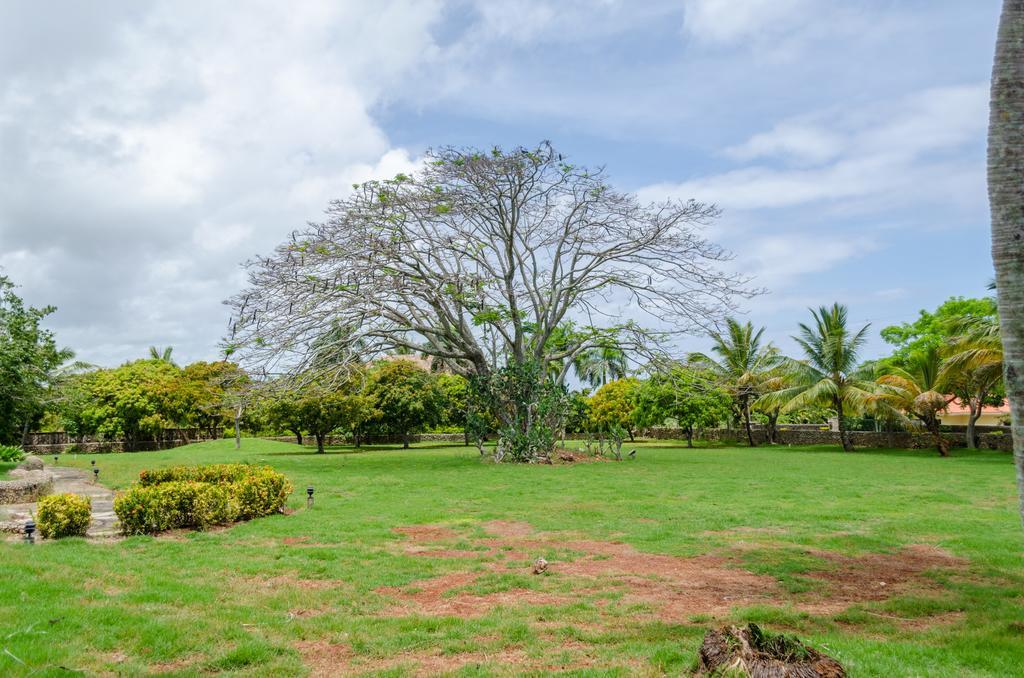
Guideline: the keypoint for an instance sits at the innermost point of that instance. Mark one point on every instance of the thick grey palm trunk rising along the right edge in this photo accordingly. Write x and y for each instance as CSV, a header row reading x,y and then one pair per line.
x,y
1006,167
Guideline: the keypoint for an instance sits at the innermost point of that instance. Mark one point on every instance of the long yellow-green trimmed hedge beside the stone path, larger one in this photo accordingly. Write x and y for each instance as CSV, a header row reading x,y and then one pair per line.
x,y
200,497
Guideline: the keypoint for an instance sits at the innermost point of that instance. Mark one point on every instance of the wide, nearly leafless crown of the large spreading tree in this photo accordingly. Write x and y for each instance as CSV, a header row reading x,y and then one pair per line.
x,y
477,262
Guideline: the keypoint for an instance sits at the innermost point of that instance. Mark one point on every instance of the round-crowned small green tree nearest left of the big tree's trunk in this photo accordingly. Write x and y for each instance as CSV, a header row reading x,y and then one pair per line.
x,y
407,398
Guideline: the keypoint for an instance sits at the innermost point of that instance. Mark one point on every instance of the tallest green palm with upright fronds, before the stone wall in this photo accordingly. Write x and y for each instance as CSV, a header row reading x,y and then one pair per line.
x,y
829,374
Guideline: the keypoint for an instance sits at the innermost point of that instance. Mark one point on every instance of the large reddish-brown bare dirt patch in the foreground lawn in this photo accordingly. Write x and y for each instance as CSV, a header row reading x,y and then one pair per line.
x,y
672,588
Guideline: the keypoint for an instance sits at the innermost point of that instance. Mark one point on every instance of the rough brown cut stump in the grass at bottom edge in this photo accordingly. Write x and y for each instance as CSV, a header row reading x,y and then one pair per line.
x,y
751,652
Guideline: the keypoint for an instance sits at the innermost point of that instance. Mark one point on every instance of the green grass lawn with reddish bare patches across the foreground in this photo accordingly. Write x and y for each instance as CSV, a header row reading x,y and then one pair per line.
x,y
336,588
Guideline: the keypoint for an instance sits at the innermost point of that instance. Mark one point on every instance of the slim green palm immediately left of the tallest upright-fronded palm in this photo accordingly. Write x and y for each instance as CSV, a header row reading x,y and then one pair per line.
x,y
742,367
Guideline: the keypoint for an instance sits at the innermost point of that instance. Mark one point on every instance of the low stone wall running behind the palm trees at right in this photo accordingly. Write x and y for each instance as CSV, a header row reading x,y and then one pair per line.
x,y
814,435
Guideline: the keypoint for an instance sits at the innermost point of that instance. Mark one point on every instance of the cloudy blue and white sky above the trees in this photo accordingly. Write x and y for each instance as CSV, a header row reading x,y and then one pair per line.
x,y
149,149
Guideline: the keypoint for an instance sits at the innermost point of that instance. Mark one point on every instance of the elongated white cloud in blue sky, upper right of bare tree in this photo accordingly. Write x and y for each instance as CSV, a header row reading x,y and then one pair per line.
x,y
890,153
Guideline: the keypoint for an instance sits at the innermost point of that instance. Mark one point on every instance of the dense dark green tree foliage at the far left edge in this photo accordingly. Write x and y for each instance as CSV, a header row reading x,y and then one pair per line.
x,y
29,361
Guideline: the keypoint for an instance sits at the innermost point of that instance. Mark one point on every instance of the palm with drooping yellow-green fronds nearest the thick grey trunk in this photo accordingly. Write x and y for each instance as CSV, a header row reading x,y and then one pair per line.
x,y
974,366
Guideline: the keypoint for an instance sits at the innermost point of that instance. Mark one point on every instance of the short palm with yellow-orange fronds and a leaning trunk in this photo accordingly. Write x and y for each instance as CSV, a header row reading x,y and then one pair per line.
x,y
920,392
